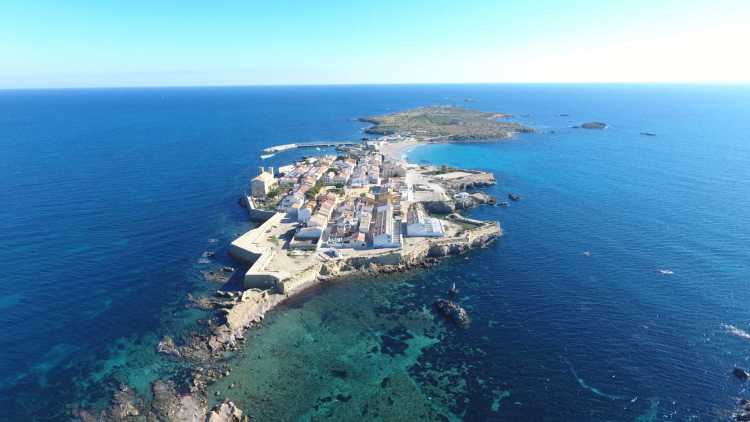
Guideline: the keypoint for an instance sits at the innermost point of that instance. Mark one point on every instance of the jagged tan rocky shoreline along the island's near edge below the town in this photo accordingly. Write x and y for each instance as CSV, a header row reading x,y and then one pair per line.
x,y
208,353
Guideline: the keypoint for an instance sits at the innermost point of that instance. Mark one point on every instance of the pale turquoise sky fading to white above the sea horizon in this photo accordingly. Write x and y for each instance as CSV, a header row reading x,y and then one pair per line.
x,y
77,43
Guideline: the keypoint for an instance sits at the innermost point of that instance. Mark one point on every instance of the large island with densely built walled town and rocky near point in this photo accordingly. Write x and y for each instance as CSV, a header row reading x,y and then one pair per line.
x,y
362,211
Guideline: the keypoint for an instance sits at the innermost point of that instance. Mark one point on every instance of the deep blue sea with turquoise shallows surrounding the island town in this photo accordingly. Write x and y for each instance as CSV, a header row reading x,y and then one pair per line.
x,y
619,290
